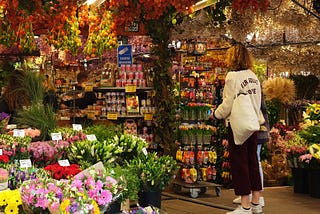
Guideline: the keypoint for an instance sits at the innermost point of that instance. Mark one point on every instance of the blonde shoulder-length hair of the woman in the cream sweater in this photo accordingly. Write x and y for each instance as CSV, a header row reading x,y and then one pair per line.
x,y
239,58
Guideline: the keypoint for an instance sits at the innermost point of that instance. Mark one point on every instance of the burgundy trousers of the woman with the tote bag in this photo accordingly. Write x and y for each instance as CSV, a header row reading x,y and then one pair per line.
x,y
244,165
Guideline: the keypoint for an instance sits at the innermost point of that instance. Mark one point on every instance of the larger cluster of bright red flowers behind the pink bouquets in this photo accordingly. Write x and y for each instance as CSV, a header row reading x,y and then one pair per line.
x,y
62,172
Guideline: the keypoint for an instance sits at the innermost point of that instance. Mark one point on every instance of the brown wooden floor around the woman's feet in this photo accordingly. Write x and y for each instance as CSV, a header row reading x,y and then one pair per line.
x,y
279,200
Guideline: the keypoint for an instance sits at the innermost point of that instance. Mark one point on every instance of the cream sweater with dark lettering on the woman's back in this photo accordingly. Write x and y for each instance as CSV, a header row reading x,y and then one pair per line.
x,y
244,81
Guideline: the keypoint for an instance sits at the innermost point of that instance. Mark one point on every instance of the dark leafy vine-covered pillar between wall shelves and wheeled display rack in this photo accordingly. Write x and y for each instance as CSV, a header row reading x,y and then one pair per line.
x,y
166,129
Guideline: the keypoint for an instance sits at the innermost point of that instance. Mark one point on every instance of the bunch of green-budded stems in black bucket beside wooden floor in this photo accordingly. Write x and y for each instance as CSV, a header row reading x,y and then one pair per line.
x,y
155,173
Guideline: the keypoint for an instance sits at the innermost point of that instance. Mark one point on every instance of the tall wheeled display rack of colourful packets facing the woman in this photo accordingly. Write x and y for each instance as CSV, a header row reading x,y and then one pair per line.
x,y
196,150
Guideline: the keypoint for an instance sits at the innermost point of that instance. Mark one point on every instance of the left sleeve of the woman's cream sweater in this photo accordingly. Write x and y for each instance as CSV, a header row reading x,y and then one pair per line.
x,y
224,109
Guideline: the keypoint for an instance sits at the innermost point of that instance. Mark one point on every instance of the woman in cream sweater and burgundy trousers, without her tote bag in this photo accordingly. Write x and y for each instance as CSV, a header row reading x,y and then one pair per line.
x,y
243,158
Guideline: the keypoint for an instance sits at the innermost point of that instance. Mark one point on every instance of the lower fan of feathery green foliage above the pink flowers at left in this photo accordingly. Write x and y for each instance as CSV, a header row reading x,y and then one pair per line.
x,y
37,116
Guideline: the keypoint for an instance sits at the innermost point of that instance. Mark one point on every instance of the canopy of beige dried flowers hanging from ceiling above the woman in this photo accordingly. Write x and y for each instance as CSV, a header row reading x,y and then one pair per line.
x,y
287,36
